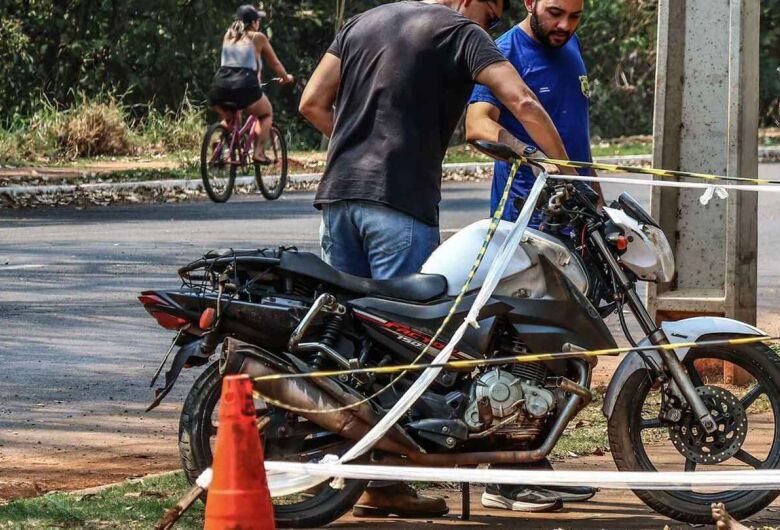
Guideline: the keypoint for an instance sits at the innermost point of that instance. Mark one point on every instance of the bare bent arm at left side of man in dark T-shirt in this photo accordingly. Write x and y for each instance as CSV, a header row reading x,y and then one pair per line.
x,y
320,94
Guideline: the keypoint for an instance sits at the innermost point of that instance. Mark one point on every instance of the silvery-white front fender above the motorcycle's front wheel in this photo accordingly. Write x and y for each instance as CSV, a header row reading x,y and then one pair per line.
x,y
688,330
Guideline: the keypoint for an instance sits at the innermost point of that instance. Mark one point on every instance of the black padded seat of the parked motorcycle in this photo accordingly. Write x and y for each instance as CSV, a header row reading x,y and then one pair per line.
x,y
413,288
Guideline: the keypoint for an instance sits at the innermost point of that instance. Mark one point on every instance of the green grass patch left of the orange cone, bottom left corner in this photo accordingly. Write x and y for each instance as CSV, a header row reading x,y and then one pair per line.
x,y
131,506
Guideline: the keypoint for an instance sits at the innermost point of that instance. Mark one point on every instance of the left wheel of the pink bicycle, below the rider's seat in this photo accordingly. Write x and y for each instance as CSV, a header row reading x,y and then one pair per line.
x,y
216,167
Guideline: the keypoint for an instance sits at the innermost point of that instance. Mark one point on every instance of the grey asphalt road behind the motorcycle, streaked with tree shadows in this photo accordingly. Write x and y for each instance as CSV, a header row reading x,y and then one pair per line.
x,y
77,349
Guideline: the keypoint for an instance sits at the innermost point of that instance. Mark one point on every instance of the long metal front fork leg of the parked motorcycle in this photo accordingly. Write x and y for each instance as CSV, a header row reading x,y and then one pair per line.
x,y
656,336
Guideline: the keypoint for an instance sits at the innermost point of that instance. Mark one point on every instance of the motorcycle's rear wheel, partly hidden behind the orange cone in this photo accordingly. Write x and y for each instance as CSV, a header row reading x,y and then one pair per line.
x,y
286,436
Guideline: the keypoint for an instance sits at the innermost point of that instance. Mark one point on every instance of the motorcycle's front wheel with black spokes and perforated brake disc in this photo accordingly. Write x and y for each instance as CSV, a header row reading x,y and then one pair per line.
x,y
748,435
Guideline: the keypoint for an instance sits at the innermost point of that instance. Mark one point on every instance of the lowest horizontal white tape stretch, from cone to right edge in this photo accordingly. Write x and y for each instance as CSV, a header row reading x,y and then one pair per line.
x,y
764,479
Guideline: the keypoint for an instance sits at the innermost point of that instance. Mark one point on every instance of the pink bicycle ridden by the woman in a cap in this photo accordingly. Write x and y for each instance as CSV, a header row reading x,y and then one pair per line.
x,y
226,150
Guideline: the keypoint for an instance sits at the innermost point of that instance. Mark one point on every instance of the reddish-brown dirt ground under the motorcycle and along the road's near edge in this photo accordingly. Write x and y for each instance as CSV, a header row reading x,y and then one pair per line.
x,y
73,465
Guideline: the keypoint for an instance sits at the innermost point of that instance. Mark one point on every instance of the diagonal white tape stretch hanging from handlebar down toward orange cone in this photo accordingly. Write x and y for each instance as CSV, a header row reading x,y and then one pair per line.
x,y
282,484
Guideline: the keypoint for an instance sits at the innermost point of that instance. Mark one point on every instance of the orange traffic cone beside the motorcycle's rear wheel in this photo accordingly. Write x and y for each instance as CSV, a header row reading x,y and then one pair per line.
x,y
238,497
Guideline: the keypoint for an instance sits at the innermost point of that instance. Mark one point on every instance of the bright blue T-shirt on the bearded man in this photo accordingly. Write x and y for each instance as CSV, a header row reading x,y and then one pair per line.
x,y
559,79
